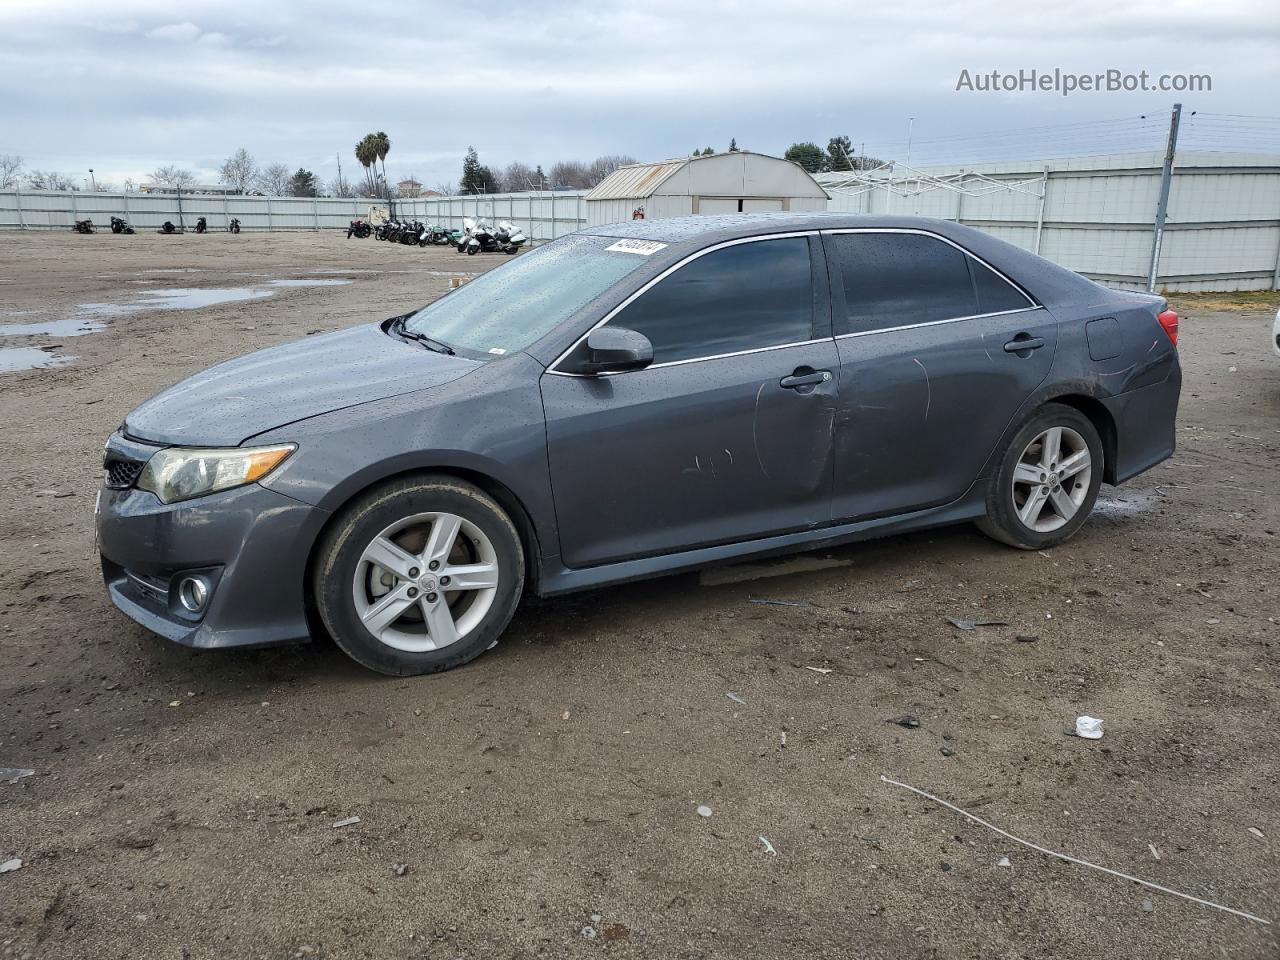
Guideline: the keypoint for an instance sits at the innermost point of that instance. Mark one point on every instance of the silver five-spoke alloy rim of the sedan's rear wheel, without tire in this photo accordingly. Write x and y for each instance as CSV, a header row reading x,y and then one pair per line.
x,y
1052,479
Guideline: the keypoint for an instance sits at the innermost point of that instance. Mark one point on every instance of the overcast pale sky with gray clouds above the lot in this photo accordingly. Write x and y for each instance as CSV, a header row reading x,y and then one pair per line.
x,y
130,85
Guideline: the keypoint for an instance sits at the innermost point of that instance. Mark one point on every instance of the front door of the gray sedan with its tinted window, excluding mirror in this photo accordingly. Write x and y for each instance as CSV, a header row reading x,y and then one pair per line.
x,y
726,436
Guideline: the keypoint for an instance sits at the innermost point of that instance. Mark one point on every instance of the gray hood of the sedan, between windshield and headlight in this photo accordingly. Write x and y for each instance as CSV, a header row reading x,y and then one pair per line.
x,y
227,404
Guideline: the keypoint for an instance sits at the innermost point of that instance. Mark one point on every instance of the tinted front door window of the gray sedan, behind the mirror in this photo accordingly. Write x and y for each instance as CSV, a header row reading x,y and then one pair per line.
x,y
740,298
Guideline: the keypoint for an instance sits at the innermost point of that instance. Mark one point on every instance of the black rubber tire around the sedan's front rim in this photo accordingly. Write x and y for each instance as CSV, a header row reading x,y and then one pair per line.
x,y
342,546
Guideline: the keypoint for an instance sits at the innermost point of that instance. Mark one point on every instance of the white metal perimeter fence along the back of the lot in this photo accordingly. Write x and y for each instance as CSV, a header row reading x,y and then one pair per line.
x,y
1094,216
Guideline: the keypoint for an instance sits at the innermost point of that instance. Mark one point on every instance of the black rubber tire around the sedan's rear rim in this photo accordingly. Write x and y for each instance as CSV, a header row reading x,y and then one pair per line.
x,y
1003,523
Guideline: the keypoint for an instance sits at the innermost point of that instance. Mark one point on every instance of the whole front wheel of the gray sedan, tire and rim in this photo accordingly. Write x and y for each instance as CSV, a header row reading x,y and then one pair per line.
x,y
419,575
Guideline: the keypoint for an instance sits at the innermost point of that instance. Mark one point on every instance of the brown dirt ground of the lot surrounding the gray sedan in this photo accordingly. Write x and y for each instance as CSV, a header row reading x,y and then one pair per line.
x,y
543,801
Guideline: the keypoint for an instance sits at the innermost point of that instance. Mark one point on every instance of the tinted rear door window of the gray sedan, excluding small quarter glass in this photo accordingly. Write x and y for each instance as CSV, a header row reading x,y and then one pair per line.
x,y
899,280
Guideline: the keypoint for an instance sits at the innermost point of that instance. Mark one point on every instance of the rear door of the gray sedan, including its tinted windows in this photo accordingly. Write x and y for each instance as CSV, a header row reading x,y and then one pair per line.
x,y
938,351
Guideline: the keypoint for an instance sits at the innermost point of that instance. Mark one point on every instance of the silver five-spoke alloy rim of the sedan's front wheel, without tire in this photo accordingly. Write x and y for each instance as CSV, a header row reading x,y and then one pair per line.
x,y
426,582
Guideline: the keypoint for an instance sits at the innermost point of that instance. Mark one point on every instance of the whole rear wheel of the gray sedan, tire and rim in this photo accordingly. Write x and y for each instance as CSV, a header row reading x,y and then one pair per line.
x,y
1048,481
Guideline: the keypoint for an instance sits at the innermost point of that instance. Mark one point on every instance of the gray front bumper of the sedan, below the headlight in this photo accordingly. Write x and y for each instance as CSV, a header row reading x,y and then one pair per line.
x,y
250,545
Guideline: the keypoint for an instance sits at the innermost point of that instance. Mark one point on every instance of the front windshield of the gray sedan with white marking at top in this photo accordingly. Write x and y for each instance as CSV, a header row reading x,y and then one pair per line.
x,y
513,305
